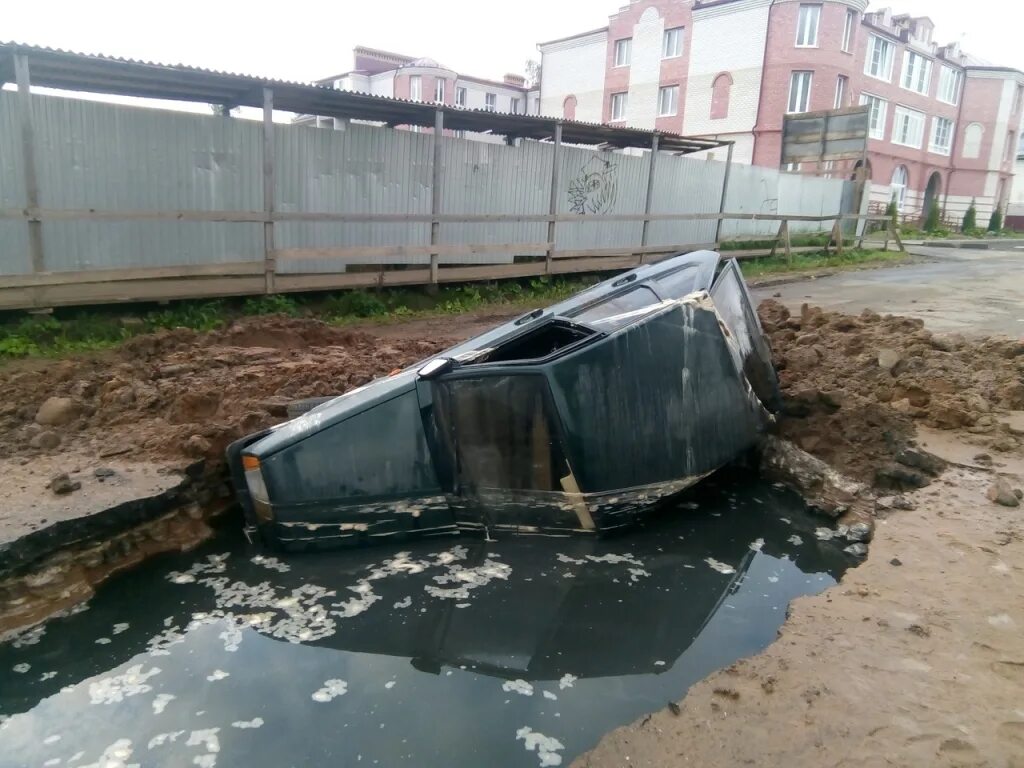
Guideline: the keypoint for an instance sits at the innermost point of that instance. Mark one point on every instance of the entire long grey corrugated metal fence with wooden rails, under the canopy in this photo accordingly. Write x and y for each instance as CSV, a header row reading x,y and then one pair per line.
x,y
140,204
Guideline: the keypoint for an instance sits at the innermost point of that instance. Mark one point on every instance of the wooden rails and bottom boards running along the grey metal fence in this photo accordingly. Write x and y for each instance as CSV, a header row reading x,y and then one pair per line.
x,y
365,266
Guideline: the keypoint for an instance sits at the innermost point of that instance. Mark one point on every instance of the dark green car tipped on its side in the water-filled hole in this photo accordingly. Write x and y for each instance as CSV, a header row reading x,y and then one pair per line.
x,y
580,417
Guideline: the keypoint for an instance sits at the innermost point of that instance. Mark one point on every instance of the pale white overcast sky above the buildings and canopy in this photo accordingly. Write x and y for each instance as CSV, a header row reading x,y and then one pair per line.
x,y
306,40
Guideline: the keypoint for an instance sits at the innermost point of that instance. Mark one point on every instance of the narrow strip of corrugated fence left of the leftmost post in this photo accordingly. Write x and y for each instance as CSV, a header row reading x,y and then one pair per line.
x,y
15,257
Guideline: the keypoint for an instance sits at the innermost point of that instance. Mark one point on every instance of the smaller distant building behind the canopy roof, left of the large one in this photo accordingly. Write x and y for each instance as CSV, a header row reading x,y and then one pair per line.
x,y
399,76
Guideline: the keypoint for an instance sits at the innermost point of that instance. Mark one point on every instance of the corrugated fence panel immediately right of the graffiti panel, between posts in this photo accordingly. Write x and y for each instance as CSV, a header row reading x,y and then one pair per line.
x,y
686,186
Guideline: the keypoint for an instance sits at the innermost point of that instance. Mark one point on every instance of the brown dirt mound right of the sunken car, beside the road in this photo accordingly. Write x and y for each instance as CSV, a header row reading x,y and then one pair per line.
x,y
855,388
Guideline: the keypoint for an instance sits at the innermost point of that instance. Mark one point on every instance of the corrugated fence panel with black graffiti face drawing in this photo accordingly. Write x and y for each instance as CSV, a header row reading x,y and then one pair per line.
x,y
601,183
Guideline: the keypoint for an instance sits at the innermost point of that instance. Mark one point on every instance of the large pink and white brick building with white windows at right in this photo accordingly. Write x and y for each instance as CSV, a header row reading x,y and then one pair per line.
x,y
944,124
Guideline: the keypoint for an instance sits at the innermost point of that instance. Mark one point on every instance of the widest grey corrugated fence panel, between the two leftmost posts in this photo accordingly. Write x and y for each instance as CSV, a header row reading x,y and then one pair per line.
x,y
112,157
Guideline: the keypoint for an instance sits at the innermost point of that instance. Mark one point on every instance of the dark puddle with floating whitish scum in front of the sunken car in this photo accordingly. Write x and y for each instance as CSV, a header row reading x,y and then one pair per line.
x,y
455,652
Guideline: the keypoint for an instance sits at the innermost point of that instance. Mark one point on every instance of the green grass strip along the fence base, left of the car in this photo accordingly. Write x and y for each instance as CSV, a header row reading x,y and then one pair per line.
x,y
69,330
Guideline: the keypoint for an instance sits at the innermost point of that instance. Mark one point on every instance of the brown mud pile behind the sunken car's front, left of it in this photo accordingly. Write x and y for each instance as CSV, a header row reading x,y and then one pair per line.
x,y
183,395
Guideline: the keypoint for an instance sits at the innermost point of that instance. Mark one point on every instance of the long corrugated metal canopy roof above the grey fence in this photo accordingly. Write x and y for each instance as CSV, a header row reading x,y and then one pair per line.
x,y
98,74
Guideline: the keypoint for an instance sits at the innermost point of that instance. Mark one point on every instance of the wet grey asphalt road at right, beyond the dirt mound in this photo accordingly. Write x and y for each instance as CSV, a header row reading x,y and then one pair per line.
x,y
954,291
